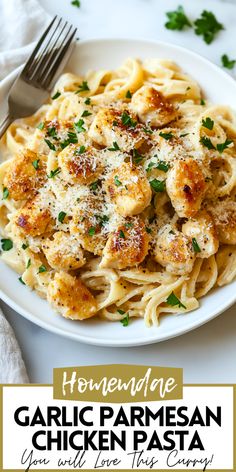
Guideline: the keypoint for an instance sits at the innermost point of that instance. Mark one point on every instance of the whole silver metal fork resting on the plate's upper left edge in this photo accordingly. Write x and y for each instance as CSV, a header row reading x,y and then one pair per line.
x,y
33,85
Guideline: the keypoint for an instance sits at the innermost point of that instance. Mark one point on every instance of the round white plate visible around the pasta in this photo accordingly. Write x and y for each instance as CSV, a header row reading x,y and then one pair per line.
x,y
219,88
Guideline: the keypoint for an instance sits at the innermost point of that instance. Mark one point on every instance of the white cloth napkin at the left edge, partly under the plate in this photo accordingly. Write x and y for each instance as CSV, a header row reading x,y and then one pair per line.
x,y
21,23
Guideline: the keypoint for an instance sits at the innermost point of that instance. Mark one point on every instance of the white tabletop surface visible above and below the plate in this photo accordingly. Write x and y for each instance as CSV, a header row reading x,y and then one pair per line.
x,y
207,354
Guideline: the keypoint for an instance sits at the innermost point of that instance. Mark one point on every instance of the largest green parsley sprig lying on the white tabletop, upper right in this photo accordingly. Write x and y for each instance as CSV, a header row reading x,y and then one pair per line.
x,y
207,26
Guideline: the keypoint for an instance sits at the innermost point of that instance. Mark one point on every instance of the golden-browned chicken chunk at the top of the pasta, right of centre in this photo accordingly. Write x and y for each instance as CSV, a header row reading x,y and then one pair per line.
x,y
152,107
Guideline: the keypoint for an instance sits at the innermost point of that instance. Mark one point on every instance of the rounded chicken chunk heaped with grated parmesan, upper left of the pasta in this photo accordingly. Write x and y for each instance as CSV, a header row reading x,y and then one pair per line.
x,y
80,165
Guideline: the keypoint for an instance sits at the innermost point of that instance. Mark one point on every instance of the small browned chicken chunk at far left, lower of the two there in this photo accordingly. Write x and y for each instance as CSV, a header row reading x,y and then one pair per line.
x,y
32,219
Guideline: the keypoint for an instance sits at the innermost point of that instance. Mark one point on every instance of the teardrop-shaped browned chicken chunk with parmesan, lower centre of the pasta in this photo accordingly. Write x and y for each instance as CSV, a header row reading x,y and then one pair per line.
x,y
126,247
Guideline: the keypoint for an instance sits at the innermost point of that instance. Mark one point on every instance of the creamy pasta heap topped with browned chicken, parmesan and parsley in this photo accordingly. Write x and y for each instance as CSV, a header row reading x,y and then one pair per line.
x,y
117,198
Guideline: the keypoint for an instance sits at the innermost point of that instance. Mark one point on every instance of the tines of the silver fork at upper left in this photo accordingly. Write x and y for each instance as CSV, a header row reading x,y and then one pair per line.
x,y
46,58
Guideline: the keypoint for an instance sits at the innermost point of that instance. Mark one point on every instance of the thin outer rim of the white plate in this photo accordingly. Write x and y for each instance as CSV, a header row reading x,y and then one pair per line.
x,y
91,340
